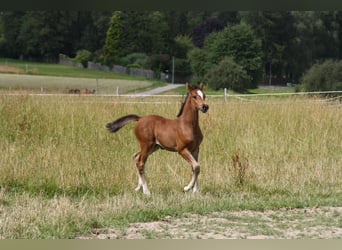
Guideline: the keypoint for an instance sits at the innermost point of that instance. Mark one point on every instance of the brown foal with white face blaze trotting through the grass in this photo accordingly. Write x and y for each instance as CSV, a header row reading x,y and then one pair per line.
x,y
182,135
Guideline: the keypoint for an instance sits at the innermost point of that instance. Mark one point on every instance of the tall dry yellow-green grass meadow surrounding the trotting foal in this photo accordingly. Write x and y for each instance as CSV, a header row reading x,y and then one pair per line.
x,y
63,175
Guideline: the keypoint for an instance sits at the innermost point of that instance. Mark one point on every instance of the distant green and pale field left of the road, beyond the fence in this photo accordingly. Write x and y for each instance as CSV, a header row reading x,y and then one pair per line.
x,y
33,77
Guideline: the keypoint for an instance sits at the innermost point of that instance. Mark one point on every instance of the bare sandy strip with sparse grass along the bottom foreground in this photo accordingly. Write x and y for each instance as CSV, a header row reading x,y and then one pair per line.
x,y
309,223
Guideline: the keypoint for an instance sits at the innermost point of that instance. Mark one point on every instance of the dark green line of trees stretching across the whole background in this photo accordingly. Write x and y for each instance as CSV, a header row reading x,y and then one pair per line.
x,y
244,48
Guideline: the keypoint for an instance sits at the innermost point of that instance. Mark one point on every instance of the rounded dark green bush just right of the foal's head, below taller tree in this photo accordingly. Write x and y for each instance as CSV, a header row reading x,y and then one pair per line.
x,y
228,74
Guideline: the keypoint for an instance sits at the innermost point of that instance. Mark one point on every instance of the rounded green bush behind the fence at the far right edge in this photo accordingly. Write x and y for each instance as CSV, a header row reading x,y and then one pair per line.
x,y
326,76
